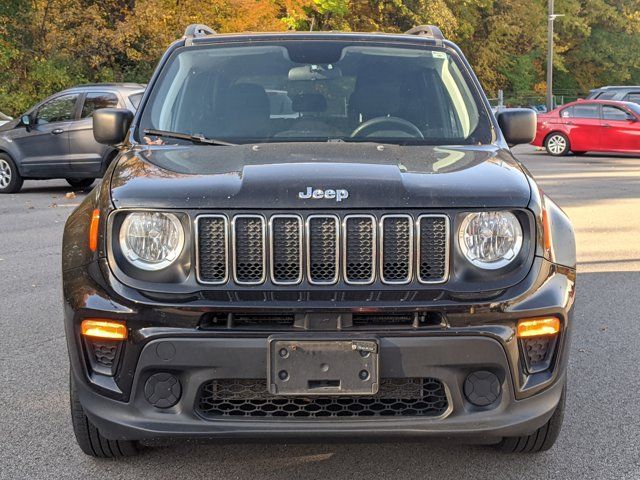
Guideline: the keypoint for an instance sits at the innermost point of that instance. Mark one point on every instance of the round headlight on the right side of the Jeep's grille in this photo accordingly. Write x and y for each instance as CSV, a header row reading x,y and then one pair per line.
x,y
490,240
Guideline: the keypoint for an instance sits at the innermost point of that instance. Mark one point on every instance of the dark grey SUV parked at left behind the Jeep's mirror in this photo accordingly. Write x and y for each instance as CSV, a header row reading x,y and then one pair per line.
x,y
54,139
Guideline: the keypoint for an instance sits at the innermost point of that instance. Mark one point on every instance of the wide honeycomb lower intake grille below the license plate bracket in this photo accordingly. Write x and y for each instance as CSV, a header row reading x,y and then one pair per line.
x,y
249,398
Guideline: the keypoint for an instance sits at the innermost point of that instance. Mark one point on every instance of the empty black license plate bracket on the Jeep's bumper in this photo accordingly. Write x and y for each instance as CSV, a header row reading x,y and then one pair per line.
x,y
323,367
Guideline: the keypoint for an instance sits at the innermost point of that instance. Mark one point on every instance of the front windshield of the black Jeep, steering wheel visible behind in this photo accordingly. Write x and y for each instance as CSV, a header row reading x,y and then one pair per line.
x,y
317,91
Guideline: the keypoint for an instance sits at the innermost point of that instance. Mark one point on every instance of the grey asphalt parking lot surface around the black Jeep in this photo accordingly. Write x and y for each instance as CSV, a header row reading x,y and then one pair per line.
x,y
601,435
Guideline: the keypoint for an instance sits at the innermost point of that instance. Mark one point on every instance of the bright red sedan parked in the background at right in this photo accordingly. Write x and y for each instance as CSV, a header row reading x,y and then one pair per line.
x,y
590,125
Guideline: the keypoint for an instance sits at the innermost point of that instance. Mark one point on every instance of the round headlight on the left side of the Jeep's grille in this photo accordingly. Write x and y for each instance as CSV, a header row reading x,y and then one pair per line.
x,y
151,240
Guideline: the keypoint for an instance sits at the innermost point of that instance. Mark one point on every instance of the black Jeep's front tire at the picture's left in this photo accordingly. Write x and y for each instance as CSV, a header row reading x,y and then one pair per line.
x,y
88,436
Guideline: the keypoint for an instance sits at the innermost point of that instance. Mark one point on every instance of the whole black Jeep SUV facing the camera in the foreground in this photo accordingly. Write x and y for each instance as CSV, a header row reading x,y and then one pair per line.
x,y
317,235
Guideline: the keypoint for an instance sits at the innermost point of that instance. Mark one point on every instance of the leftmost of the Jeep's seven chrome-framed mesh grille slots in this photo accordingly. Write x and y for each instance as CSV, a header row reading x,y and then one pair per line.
x,y
212,248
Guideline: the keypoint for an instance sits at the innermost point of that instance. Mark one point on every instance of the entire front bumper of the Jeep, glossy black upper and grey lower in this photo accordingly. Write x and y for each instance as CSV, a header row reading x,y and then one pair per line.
x,y
477,336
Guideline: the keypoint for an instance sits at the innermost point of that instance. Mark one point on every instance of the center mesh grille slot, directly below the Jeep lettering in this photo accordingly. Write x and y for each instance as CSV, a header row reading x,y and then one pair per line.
x,y
323,249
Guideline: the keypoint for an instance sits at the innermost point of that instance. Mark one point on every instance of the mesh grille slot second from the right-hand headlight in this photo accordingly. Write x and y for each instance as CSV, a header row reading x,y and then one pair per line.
x,y
397,246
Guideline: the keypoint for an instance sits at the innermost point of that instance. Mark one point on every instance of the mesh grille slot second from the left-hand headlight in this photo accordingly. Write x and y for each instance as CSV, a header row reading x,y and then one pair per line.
x,y
249,249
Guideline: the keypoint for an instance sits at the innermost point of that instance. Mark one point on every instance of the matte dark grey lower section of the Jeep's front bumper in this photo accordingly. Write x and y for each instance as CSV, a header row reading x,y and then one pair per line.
x,y
196,361
